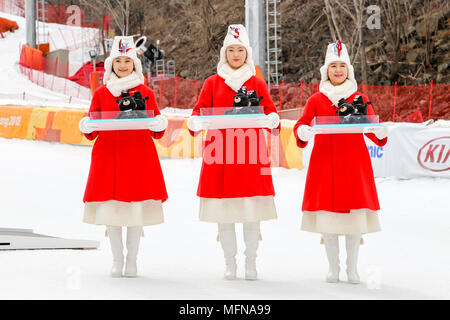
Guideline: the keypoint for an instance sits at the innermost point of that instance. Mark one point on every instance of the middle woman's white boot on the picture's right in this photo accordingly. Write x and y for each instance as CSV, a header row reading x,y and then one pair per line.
x,y
251,239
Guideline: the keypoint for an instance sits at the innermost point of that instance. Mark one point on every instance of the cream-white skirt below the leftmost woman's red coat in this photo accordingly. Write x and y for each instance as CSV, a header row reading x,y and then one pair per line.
x,y
124,214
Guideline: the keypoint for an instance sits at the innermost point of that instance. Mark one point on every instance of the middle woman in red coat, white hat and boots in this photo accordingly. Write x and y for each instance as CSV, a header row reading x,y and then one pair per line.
x,y
235,182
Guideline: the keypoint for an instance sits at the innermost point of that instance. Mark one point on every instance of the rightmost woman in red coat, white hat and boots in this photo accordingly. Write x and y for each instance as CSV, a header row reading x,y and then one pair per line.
x,y
340,194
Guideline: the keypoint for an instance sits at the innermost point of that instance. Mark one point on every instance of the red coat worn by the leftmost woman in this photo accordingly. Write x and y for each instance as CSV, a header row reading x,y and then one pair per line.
x,y
125,165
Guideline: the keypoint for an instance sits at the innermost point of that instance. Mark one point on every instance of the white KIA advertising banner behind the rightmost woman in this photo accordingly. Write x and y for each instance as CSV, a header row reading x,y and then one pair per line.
x,y
412,150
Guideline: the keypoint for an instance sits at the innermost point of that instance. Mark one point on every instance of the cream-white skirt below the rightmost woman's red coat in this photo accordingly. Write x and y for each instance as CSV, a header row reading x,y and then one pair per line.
x,y
358,221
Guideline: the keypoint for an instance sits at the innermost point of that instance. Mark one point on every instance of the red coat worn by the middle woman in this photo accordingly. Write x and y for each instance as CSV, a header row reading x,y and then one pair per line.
x,y
236,179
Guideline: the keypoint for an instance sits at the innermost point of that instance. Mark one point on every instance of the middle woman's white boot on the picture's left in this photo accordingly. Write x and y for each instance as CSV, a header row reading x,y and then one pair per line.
x,y
227,237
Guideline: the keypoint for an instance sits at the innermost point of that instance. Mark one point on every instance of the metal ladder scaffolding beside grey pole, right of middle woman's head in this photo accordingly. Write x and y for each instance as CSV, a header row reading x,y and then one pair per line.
x,y
273,43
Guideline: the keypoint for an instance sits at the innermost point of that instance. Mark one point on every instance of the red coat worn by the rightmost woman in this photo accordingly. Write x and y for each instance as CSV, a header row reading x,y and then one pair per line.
x,y
340,176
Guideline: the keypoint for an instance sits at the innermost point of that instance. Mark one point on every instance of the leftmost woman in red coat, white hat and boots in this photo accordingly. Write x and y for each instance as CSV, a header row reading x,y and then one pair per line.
x,y
125,185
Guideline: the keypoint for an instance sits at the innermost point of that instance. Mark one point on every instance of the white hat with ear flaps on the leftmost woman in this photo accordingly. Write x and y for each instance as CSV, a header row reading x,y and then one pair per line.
x,y
123,46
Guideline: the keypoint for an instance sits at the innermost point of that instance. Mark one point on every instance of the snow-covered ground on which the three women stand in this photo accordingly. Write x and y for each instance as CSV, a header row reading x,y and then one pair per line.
x,y
42,186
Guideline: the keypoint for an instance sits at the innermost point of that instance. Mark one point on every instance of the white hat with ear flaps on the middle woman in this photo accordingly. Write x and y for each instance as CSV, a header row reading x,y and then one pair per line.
x,y
236,35
